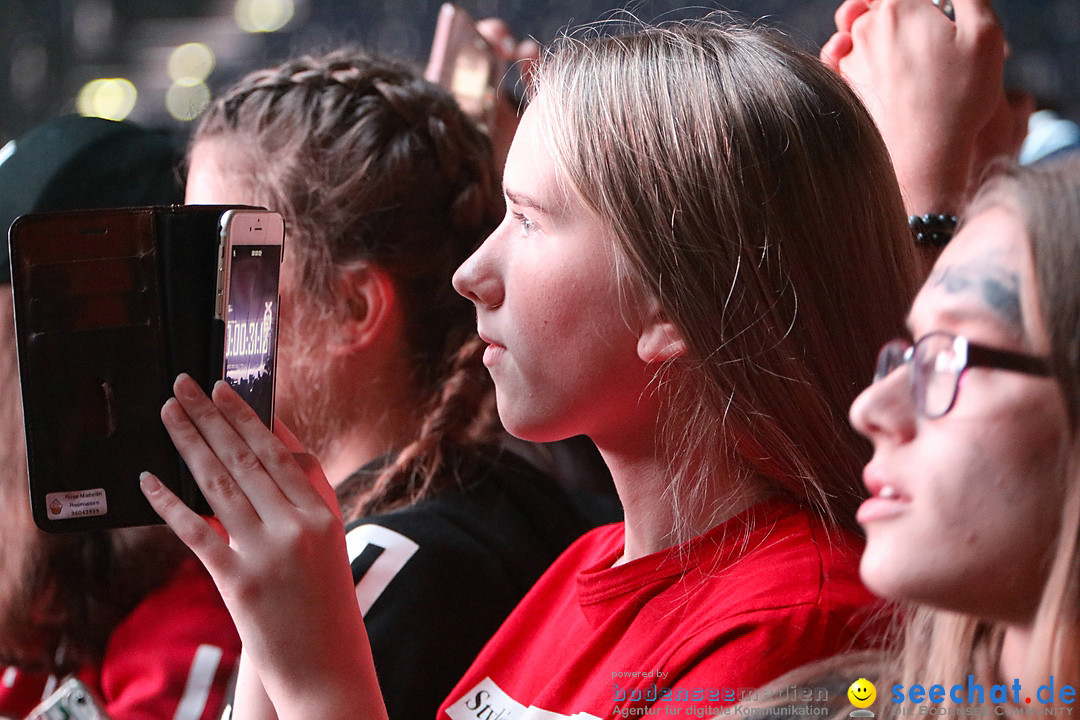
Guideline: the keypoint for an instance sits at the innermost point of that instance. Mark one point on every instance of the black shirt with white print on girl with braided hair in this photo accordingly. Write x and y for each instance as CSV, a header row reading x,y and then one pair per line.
x,y
436,580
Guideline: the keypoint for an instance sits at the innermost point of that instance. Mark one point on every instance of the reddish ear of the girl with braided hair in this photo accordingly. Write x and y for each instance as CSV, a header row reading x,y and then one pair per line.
x,y
367,304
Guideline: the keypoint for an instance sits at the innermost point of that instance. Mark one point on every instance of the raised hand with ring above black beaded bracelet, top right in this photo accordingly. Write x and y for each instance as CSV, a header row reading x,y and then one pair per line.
x,y
935,88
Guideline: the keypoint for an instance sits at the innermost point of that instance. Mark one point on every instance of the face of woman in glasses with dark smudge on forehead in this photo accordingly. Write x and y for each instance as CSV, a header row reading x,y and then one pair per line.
x,y
965,507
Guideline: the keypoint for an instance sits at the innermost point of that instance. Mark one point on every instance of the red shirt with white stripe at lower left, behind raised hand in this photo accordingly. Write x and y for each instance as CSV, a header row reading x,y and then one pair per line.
x,y
173,657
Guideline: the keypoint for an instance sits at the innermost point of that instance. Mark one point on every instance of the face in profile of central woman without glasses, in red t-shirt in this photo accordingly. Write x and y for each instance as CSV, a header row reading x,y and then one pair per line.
x,y
562,332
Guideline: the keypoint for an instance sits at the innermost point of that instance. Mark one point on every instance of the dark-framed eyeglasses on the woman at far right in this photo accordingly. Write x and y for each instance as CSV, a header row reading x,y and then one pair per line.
x,y
938,361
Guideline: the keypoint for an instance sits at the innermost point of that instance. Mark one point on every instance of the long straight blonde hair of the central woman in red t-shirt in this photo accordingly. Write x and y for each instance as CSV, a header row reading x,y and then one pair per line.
x,y
753,196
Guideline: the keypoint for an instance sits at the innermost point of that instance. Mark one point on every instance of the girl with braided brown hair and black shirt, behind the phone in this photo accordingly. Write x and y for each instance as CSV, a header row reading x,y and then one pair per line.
x,y
386,188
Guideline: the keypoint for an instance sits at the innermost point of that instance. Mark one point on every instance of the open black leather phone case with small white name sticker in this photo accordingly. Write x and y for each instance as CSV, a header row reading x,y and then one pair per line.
x,y
111,306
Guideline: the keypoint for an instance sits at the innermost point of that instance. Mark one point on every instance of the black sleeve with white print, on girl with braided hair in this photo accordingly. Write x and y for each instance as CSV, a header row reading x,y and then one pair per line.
x,y
439,596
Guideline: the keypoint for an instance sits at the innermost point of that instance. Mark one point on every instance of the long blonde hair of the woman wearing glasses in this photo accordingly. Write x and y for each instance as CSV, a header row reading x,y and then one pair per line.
x,y
949,646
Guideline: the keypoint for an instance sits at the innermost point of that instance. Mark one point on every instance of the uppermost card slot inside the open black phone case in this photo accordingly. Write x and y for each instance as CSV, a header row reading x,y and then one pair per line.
x,y
89,278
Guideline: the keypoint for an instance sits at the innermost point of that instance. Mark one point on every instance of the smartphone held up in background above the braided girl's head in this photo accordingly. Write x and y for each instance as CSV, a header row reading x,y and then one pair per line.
x,y
465,63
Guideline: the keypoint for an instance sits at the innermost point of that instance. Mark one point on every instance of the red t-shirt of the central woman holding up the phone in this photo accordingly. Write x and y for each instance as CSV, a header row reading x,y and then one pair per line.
x,y
688,629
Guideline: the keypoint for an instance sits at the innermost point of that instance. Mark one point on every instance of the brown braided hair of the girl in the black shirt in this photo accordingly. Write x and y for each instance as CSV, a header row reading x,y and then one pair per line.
x,y
369,162
